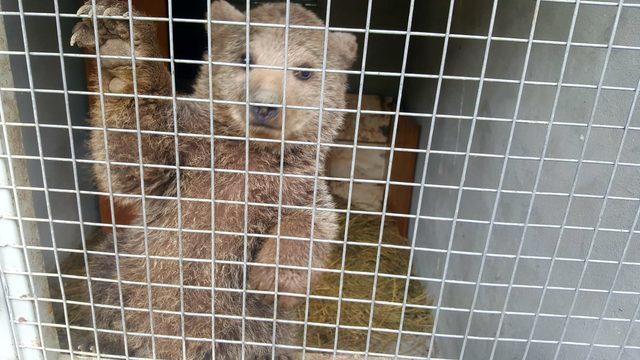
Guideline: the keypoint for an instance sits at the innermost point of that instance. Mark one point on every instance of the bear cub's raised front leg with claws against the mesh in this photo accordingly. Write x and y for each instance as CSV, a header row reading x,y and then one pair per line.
x,y
116,108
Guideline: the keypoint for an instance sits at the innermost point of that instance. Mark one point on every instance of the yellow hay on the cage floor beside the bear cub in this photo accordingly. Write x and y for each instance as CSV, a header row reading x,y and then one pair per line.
x,y
361,257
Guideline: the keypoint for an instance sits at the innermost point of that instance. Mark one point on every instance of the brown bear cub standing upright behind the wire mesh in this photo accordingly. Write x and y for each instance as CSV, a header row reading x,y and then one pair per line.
x,y
162,274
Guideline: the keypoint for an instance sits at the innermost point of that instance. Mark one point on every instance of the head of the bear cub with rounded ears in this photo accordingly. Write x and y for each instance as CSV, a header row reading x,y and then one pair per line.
x,y
265,86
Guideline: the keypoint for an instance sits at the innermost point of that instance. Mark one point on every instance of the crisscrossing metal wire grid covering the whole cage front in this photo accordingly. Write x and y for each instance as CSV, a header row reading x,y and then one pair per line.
x,y
25,322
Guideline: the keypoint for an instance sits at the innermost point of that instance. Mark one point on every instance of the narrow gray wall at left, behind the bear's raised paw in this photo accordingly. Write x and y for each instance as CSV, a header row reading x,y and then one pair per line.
x,y
42,37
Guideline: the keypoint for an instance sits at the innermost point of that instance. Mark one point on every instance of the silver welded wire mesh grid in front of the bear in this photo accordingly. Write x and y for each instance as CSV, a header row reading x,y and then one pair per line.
x,y
457,218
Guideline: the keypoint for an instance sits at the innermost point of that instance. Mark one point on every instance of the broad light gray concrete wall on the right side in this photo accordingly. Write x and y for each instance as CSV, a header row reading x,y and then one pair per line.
x,y
464,58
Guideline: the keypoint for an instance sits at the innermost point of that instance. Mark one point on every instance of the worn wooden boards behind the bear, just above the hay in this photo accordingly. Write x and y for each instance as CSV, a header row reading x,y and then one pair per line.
x,y
375,129
